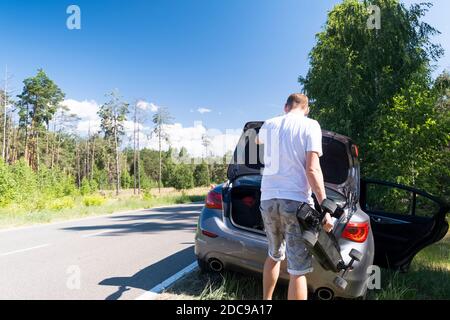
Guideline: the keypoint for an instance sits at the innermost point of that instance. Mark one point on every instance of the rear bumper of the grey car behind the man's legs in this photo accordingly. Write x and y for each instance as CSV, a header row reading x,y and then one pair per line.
x,y
244,251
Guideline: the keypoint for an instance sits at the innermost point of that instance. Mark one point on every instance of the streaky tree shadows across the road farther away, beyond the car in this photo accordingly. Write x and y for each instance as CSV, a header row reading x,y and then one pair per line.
x,y
164,219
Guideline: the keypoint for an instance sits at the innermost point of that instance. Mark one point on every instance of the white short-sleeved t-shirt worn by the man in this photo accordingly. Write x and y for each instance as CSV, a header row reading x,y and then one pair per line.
x,y
286,140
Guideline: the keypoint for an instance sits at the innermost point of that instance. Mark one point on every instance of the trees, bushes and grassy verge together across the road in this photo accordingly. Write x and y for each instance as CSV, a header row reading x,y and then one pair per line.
x,y
50,171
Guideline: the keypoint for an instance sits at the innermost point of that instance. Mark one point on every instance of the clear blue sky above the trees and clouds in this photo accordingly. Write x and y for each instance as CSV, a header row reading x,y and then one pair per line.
x,y
238,58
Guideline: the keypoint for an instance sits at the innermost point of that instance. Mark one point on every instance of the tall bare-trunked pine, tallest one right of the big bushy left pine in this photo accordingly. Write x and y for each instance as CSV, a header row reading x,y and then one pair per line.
x,y
113,115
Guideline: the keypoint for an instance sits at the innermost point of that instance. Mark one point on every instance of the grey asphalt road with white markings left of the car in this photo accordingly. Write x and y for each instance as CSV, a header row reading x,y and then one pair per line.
x,y
118,256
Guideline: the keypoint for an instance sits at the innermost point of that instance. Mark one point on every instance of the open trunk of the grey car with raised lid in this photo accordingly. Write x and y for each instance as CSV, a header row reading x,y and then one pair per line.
x,y
338,165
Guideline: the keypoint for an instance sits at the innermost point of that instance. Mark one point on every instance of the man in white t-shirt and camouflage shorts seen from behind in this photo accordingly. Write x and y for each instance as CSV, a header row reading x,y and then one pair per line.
x,y
292,147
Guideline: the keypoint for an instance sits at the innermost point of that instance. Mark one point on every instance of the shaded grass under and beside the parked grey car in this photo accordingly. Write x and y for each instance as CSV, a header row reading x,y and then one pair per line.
x,y
427,279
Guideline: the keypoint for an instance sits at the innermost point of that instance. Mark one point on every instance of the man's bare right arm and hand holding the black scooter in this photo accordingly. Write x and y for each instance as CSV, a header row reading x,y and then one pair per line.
x,y
315,179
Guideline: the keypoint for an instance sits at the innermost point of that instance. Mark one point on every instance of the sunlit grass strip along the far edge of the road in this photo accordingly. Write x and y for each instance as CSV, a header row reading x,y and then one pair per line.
x,y
102,203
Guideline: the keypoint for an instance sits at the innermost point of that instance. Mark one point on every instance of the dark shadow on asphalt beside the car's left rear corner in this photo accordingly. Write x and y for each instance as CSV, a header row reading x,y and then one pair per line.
x,y
152,275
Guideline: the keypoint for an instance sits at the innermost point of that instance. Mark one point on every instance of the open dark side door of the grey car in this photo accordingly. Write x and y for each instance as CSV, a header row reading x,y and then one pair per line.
x,y
404,220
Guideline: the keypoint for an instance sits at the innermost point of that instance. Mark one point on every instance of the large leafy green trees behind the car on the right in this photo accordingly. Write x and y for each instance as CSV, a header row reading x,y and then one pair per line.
x,y
380,88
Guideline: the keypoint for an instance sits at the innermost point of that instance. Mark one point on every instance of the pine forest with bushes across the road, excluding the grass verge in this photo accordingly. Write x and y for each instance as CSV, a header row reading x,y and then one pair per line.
x,y
44,158
